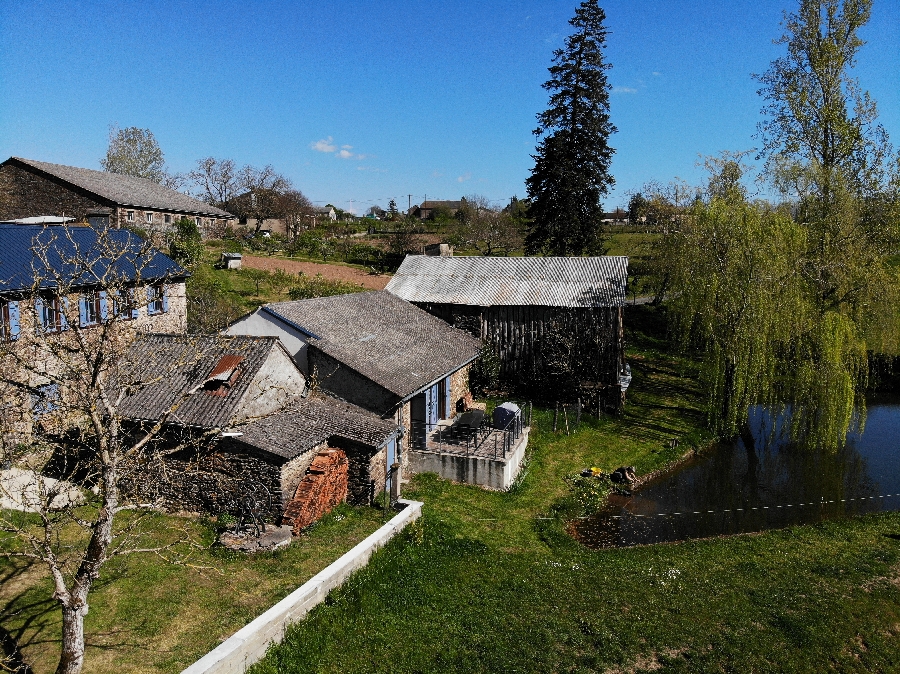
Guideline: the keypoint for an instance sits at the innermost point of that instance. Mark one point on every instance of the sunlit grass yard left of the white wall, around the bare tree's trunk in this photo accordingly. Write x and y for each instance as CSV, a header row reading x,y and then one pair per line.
x,y
152,613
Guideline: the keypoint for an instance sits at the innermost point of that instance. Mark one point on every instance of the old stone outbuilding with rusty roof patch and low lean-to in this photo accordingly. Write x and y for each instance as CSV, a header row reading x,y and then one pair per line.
x,y
237,421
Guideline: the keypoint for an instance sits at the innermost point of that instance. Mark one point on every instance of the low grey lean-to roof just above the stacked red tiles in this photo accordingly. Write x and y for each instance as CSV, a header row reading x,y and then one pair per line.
x,y
304,423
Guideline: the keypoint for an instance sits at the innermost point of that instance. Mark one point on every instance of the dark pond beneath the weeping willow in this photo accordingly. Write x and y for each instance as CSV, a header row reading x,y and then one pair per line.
x,y
771,484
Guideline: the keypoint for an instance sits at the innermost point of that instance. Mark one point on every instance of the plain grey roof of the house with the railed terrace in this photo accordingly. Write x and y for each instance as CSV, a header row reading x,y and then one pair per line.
x,y
387,340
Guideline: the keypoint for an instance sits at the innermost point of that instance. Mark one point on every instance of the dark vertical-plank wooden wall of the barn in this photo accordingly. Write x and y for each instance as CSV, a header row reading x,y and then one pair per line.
x,y
523,337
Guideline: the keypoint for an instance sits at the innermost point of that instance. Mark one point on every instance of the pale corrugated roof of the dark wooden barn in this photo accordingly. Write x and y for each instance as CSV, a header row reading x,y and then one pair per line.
x,y
512,281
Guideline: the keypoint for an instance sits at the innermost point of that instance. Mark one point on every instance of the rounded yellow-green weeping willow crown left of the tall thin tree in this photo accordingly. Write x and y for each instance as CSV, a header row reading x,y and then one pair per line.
x,y
736,293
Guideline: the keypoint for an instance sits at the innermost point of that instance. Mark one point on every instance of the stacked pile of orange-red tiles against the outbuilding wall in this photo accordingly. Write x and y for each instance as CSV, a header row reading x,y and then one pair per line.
x,y
323,487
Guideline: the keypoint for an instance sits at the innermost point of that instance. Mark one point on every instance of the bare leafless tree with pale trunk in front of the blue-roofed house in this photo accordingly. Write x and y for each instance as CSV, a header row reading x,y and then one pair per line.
x,y
64,373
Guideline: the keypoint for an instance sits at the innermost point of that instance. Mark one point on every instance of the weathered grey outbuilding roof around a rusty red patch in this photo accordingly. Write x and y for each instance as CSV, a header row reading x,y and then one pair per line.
x,y
160,370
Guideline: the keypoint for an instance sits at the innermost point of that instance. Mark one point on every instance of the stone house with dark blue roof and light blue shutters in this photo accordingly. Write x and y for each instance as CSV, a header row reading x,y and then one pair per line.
x,y
59,284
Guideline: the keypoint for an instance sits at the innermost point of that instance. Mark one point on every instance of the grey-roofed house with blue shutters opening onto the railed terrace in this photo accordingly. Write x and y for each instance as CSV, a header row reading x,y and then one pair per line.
x,y
376,351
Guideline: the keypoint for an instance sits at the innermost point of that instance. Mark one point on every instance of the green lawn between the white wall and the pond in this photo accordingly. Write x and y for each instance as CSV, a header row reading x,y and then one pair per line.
x,y
490,582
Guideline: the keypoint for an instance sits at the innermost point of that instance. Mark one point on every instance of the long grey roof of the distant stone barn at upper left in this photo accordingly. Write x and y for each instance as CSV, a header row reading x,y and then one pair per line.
x,y
125,190
